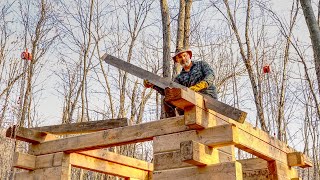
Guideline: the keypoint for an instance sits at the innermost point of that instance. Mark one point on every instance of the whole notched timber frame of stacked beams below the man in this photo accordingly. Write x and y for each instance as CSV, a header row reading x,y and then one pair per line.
x,y
199,145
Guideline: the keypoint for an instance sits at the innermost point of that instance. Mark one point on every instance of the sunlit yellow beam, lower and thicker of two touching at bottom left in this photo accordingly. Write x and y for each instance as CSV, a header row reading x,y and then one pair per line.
x,y
98,165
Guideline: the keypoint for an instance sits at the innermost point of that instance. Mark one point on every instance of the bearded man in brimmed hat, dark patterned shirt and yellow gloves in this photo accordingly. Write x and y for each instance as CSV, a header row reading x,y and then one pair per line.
x,y
197,75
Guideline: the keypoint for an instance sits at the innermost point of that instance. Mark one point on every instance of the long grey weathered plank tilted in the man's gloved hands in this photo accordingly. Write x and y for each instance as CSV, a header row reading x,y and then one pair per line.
x,y
165,83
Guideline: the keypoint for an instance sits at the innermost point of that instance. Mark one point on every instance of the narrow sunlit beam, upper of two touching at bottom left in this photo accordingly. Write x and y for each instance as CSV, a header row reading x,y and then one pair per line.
x,y
119,159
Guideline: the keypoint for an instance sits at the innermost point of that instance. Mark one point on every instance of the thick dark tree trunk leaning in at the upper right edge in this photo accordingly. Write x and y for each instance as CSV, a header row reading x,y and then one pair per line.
x,y
314,34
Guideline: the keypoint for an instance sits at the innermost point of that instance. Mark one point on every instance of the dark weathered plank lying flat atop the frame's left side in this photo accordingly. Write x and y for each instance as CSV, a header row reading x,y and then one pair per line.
x,y
84,127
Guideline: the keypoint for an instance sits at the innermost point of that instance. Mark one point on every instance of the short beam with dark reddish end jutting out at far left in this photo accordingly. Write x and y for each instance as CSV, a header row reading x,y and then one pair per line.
x,y
28,135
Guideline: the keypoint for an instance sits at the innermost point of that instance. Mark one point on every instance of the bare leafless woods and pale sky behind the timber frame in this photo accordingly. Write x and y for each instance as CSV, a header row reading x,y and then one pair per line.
x,y
66,77
